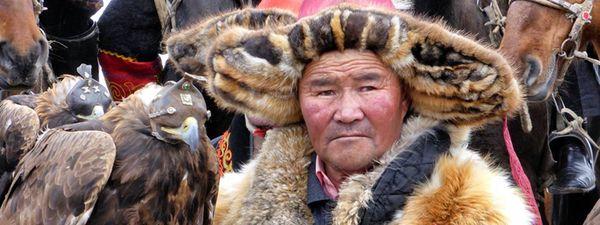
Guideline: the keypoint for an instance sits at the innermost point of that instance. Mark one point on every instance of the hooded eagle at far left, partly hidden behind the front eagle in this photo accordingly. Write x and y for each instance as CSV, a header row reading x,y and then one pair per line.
x,y
71,100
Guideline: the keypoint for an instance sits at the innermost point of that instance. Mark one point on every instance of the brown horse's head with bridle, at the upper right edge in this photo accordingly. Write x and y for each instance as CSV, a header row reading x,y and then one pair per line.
x,y
542,37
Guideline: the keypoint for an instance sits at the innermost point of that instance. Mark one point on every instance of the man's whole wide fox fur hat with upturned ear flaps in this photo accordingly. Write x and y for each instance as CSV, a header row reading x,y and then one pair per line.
x,y
253,60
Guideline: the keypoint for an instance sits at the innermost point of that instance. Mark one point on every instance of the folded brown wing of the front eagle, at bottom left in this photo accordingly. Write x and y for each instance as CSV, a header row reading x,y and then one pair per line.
x,y
58,181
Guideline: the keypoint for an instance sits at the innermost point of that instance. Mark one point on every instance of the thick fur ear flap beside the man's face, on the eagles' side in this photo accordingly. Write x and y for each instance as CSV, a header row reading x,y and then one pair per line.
x,y
255,72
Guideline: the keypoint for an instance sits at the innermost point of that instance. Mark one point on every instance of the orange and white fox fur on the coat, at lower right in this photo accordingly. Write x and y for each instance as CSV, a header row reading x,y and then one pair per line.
x,y
465,189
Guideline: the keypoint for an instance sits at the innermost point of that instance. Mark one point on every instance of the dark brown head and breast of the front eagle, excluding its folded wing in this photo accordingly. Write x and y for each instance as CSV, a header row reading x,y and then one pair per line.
x,y
154,181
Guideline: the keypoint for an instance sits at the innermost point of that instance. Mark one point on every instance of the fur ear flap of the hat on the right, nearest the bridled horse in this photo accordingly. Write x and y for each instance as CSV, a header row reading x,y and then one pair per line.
x,y
458,80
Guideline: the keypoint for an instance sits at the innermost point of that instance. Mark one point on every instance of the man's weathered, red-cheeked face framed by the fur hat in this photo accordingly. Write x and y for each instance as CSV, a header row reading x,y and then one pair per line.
x,y
353,107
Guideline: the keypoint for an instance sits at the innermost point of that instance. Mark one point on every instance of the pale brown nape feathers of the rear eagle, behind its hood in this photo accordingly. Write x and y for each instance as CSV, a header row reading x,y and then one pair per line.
x,y
54,100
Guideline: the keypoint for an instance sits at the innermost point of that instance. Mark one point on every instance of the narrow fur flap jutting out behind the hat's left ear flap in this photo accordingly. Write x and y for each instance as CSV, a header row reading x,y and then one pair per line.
x,y
188,48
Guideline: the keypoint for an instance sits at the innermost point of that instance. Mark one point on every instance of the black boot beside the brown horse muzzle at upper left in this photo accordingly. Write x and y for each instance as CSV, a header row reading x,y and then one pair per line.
x,y
73,36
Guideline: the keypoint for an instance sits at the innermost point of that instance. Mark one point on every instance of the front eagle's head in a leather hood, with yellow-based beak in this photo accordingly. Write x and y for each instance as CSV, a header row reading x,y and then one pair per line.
x,y
178,113
